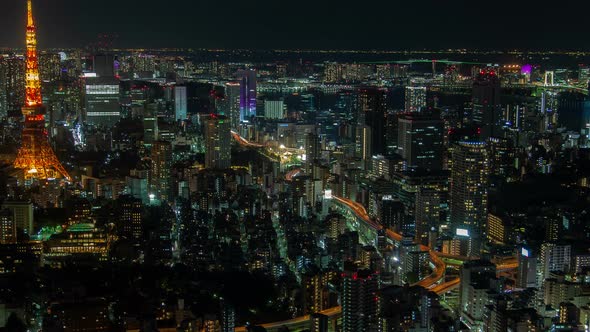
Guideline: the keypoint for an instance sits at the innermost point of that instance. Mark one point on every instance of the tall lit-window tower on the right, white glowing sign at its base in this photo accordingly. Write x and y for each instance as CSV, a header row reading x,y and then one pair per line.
x,y
469,187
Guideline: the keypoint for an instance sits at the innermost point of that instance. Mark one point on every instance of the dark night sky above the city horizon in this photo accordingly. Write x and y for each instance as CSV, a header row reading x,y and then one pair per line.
x,y
265,24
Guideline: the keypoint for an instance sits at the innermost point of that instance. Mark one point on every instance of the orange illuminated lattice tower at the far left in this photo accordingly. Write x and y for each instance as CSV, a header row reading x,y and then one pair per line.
x,y
35,156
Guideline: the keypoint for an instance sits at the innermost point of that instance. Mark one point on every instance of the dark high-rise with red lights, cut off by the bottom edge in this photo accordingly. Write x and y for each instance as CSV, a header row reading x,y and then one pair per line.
x,y
360,301
